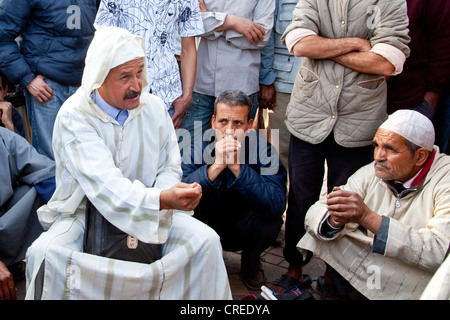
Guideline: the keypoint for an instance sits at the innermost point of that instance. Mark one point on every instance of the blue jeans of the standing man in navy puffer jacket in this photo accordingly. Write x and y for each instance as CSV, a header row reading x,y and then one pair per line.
x,y
42,115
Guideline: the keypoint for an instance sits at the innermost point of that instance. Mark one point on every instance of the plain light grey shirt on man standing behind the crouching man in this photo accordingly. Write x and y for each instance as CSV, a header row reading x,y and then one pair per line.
x,y
231,62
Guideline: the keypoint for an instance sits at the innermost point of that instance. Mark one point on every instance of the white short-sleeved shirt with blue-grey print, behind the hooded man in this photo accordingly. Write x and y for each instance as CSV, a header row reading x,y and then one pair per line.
x,y
158,22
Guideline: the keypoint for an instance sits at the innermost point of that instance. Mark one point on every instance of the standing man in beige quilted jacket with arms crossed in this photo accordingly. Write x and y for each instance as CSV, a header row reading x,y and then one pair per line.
x,y
338,100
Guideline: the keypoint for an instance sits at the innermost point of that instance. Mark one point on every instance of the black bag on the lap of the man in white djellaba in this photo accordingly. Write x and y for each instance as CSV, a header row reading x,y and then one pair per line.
x,y
102,238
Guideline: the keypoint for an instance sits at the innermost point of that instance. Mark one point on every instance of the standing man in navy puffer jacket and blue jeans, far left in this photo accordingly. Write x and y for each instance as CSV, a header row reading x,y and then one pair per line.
x,y
49,62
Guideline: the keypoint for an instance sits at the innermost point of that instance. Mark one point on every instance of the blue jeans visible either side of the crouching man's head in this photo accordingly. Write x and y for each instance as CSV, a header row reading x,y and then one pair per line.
x,y
202,109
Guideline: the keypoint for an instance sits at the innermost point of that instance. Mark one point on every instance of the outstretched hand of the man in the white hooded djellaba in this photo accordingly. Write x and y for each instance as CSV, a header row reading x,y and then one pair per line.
x,y
181,196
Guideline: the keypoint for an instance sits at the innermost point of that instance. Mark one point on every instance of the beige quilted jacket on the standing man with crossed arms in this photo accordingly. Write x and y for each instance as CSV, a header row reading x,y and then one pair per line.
x,y
328,97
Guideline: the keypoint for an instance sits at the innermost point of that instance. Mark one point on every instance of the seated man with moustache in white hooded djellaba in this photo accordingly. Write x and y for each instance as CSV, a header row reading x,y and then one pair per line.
x,y
115,146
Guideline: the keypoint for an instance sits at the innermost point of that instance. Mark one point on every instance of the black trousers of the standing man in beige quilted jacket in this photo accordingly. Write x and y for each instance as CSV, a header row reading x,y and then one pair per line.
x,y
306,174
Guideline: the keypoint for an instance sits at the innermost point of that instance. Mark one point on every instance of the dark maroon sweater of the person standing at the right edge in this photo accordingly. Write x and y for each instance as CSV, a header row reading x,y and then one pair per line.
x,y
428,66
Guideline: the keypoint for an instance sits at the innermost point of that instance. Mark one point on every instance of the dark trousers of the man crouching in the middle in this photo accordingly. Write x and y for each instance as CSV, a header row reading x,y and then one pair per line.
x,y
245,231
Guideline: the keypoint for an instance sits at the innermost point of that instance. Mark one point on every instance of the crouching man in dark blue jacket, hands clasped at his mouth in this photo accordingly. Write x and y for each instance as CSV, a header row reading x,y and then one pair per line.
x,y
243,184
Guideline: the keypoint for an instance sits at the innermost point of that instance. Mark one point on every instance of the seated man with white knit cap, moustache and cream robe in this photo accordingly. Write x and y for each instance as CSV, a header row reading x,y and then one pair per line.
x,y
384,241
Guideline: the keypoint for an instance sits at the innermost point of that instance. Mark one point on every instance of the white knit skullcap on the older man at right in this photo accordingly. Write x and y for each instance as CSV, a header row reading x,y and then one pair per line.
x,y
412,126
